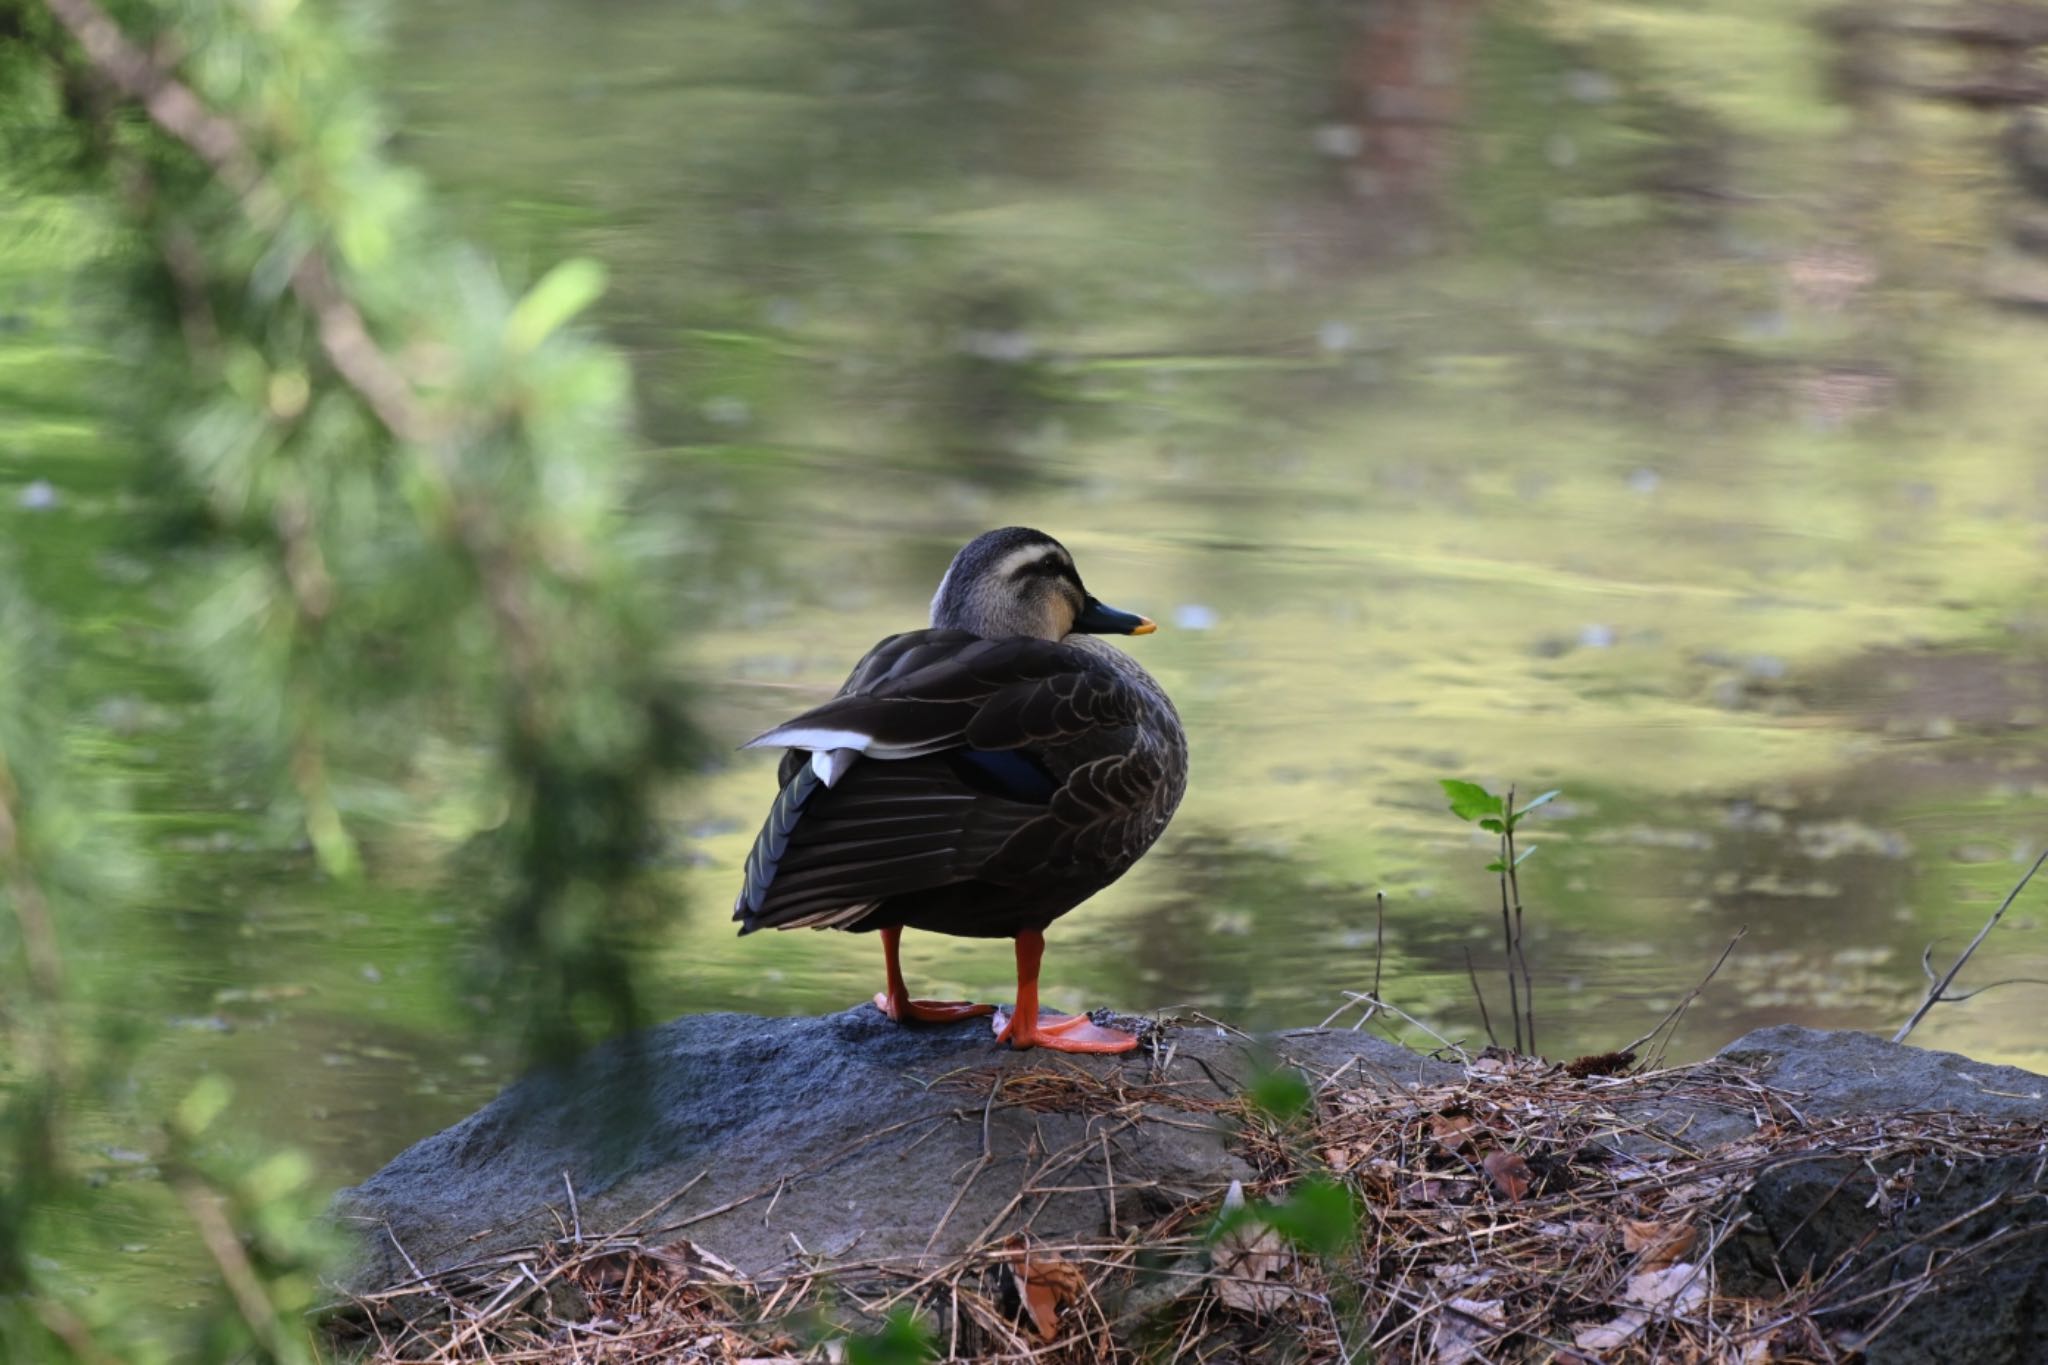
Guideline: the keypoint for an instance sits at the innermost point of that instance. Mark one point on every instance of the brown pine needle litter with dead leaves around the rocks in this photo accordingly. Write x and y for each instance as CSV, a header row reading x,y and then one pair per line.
x,y
1517,1215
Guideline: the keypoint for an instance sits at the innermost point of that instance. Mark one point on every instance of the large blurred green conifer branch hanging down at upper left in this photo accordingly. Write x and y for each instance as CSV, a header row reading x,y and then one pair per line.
x,y
402,482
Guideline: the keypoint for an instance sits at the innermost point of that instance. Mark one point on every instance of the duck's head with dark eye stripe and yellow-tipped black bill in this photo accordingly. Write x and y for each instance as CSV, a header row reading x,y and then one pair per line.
x,y
1023,582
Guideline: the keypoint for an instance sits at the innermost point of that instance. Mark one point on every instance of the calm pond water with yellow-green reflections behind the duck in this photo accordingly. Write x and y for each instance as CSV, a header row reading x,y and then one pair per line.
x,y
1588,398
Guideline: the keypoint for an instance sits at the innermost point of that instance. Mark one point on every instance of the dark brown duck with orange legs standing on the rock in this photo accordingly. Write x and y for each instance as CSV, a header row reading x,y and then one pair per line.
x,y
976,779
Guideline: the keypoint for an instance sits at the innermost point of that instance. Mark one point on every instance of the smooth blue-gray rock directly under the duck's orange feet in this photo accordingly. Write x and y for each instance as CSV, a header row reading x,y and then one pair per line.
x,y
771,1139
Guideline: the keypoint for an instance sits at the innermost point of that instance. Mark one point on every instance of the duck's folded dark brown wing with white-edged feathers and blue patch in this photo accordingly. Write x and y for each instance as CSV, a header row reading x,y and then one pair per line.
x,y
945,779
